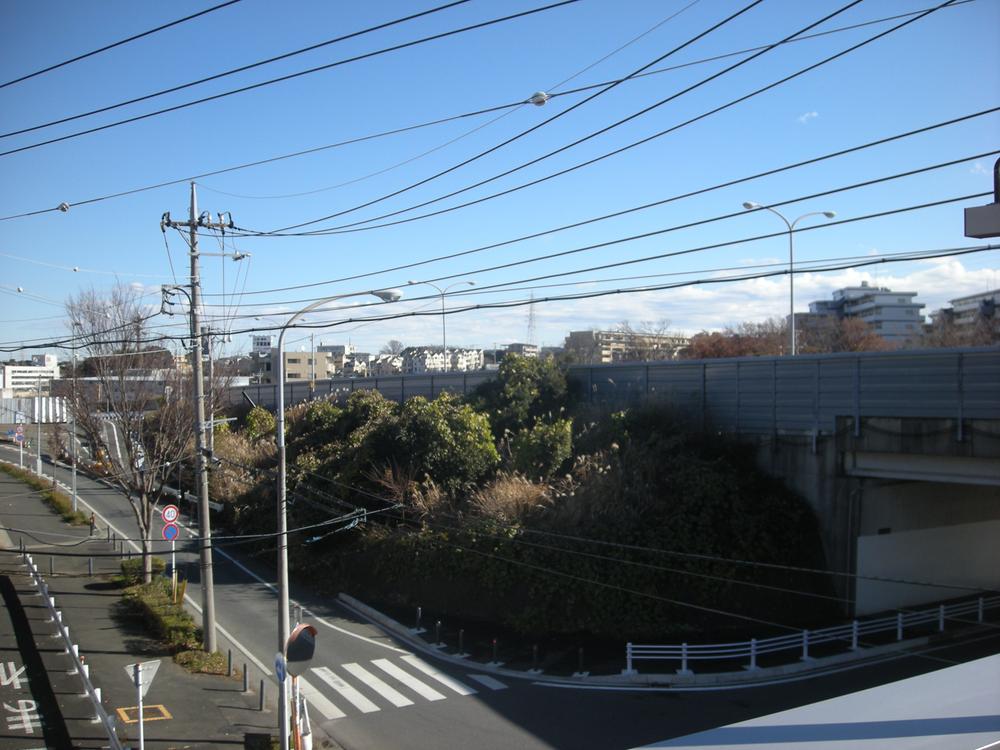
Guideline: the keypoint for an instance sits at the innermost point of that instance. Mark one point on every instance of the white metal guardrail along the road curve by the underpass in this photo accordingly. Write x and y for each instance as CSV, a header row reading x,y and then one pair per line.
x,y
851,633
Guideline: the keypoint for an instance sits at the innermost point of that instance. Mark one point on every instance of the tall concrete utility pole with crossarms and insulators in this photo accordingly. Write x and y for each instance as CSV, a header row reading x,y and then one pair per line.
x,y
194,223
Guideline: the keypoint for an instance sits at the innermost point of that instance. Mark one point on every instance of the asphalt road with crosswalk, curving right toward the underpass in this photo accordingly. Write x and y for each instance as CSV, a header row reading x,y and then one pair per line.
x,y
368,690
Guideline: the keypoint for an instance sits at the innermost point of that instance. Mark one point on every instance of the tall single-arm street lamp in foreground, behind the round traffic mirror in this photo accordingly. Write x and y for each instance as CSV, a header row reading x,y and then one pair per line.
x,y
386,295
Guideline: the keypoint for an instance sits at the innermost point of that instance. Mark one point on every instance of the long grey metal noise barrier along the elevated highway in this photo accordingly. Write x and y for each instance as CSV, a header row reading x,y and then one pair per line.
x,y
748,395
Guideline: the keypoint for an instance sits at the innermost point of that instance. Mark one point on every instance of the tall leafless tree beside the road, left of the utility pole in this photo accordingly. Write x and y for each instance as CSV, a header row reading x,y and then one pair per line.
x,y
140,418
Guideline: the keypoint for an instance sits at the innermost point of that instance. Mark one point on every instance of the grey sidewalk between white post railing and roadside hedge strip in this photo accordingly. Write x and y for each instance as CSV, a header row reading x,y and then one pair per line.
x,y
182,710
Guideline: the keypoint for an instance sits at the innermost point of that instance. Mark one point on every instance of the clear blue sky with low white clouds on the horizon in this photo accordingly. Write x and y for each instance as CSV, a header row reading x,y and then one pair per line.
x,y
369,179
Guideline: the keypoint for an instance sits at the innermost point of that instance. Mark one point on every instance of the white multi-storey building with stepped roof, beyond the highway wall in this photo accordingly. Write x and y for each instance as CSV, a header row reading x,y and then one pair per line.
x,y
894,316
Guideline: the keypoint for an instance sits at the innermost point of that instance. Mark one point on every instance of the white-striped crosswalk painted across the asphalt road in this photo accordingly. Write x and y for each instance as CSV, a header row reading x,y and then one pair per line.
x,y
353,688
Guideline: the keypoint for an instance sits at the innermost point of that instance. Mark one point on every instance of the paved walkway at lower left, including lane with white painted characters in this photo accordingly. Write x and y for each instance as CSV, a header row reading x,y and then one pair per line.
x,y
43,706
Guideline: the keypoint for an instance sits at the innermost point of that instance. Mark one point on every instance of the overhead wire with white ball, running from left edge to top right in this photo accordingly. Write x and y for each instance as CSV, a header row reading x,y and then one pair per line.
x,y
452,118
